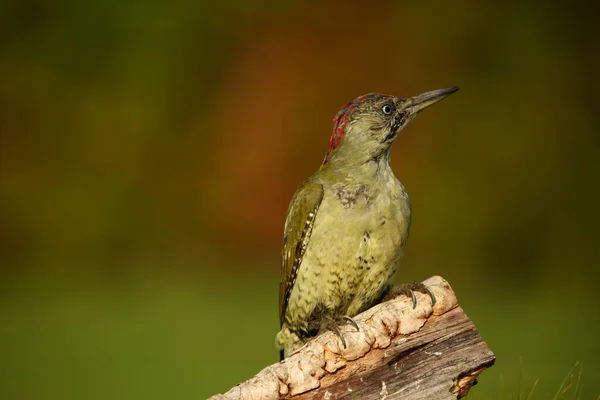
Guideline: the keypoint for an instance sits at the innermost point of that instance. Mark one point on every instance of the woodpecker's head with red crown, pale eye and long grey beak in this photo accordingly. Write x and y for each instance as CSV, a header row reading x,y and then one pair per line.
x,y
365,128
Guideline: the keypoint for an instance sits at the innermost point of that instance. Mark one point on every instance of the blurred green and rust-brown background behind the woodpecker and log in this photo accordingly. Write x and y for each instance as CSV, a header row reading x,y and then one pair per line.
x,y
149,150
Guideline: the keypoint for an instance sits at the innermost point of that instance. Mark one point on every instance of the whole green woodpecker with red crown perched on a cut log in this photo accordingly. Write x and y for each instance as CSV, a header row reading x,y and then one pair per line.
x,y
347,225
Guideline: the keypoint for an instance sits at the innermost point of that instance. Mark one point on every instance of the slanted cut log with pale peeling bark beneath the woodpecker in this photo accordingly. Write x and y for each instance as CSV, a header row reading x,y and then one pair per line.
x,y
399,352
